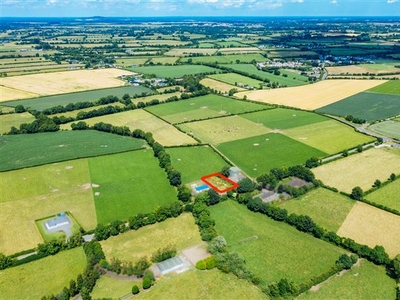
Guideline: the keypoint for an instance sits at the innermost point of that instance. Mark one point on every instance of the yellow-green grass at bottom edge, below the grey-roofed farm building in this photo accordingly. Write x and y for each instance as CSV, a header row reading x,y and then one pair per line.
x,y
203,285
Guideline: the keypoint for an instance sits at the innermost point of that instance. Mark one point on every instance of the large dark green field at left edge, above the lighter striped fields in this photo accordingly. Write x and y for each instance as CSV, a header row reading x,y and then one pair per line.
x,y
43,148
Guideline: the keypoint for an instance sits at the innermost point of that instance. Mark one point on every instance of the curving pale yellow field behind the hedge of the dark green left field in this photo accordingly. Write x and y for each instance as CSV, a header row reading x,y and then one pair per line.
x,y
163,132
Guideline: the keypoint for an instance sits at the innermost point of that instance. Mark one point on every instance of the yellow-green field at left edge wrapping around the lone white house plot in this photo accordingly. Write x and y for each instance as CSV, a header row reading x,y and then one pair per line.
x,y
34,193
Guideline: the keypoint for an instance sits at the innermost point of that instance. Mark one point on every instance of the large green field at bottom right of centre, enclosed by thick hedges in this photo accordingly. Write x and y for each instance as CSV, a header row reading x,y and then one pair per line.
x,y
277,245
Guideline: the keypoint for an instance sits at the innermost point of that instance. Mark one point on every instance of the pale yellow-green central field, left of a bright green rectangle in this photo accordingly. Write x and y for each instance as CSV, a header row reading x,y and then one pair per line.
x,y
221,130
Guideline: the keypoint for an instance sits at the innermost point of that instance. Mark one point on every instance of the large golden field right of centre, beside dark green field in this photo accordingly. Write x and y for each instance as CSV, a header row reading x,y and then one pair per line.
x,y
311,96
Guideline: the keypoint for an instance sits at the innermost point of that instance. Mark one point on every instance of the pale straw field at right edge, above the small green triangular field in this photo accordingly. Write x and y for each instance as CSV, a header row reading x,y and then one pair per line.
x,y
361,169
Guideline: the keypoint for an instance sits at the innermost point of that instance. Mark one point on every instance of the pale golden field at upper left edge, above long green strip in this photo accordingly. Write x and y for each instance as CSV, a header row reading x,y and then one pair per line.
x,y
63,82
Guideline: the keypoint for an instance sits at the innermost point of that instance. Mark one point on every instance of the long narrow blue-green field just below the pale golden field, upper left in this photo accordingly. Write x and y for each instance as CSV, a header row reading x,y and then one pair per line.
x,y
51,101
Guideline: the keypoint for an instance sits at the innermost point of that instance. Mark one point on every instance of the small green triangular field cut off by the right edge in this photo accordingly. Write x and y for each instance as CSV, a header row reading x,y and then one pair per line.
x,y
387,195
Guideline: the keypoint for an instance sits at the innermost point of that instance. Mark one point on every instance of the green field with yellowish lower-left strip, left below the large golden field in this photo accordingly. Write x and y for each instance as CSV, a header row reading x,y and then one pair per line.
x,y
201,108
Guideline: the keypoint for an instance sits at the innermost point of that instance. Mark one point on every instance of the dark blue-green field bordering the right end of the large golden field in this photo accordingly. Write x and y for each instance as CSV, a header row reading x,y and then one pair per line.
x,y
365,105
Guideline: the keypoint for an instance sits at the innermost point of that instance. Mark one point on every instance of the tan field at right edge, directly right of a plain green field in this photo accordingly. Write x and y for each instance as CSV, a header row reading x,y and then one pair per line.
x,y
371,226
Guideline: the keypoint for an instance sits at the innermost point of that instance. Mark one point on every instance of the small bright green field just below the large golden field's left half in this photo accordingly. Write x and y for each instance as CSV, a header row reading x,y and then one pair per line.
x,y
281,118
